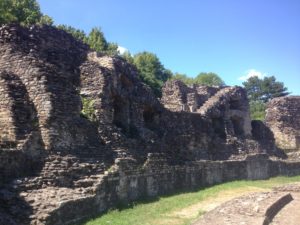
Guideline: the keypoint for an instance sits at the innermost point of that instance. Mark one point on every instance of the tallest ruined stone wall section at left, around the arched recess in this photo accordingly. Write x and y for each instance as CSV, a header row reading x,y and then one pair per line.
x,y
45,63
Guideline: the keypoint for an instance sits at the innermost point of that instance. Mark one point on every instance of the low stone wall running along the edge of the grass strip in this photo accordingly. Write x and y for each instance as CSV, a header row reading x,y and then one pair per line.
x,y
127,182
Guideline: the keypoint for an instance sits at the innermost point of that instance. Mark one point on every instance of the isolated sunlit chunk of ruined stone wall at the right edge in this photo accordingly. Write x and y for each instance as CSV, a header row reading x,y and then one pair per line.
x,y
283,118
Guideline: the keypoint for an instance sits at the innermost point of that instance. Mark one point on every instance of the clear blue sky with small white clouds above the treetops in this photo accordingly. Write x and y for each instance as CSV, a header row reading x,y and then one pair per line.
x,y
233,38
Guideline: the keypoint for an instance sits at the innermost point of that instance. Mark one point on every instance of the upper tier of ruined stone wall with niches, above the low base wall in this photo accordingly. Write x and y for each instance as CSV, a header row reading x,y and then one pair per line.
x,y
208,122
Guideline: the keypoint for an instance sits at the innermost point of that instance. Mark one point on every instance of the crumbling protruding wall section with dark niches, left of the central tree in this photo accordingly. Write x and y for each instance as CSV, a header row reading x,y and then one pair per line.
x,y
125,110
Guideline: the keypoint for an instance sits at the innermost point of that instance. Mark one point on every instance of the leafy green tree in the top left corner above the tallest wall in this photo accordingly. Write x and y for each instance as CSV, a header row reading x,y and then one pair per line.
x,y
24,12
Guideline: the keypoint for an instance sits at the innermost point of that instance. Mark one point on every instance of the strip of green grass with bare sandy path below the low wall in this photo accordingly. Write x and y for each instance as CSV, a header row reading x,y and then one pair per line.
x,y
182,209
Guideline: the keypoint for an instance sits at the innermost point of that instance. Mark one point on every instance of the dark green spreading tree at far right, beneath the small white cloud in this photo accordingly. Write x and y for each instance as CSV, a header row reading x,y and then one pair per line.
x,y
264,89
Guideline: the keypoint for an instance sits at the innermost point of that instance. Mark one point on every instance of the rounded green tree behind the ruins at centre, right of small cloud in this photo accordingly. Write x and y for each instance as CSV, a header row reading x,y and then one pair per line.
x,y
151,71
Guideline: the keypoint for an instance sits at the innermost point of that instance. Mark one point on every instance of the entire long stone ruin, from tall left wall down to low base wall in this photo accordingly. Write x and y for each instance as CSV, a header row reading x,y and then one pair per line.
x,y
60,167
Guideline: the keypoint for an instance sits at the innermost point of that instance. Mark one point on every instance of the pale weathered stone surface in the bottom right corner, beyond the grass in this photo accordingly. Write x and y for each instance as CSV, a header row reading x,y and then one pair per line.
x,y
276,207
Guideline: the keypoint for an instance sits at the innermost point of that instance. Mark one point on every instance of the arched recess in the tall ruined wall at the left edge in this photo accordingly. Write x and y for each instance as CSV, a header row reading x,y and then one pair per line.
x,y
18,117
